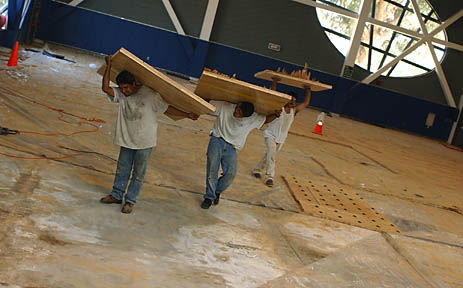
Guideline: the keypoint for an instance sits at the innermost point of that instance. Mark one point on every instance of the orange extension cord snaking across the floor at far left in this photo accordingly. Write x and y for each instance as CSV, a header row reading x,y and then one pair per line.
x,y
61,118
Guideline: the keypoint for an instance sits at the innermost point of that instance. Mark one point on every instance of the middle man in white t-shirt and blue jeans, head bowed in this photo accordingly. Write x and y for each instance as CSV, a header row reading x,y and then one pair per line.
x,y
233,124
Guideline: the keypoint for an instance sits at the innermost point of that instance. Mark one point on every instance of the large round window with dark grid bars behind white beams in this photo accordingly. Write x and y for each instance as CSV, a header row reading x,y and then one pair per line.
x,y
379,45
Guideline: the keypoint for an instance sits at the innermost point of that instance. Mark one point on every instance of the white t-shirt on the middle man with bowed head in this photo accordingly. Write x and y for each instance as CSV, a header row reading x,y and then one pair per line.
x,y
231,129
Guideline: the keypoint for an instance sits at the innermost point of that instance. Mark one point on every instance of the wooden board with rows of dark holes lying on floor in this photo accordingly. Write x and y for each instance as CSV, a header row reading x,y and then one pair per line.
x,y
337,203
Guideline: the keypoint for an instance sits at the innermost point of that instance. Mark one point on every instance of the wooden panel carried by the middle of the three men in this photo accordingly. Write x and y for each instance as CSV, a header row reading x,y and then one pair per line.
x,y
214,86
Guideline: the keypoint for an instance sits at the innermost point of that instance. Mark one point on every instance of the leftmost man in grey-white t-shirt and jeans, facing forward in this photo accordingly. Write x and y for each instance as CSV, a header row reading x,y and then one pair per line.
x,y
136,133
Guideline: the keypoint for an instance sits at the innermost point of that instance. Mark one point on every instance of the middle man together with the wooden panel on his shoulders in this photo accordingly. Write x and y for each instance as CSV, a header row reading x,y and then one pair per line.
x,y
240,108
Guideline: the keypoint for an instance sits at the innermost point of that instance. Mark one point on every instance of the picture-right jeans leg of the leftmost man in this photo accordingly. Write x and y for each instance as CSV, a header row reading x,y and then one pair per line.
x,y
139,170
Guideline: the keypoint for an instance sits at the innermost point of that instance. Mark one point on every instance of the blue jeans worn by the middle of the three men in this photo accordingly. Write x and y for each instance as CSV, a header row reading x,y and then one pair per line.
x,y
219,152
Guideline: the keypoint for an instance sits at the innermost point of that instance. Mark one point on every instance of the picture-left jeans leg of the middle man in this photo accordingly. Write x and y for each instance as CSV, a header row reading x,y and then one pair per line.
x,y
214,155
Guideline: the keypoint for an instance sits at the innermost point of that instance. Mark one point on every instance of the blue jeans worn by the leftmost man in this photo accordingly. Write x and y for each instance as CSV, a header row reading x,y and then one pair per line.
x,y
130,159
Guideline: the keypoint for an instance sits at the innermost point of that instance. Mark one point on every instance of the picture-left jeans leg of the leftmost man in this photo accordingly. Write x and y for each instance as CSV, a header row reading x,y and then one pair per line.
x,y
124,167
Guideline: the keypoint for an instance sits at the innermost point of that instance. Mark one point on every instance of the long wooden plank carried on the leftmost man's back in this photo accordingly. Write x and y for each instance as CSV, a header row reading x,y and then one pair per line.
x,y
172,92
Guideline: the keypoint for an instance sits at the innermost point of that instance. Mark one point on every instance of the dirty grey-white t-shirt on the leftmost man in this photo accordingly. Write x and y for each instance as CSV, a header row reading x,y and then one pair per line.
x,y
137,118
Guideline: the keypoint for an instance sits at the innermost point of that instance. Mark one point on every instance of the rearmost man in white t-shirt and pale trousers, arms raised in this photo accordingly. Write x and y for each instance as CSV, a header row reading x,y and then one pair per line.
x,y
275,135
